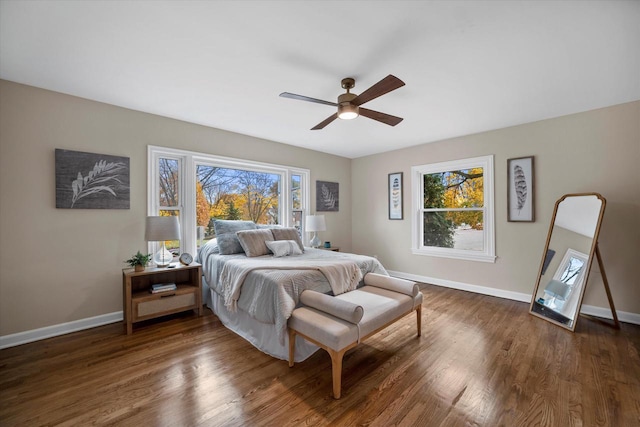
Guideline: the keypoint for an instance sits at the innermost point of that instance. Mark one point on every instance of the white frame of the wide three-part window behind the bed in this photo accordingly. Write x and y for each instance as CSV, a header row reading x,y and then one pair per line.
x,y
187,164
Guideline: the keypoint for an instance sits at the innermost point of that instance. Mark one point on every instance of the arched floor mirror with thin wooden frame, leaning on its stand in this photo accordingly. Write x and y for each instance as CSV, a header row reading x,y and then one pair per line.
x,y
572,244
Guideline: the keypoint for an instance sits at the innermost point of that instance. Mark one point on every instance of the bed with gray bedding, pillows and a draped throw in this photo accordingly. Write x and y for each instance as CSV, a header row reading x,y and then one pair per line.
x,y
253,291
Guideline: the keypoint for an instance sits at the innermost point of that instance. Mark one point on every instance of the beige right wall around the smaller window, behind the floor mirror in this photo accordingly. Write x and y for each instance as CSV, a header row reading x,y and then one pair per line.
x,y
593,151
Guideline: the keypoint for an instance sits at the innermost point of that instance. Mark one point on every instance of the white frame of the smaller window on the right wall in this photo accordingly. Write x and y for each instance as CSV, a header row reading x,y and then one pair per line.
x,y
417,209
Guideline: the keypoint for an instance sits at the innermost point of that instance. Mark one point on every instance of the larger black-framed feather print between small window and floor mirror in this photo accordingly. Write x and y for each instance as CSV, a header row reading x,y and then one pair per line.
x,y
520,194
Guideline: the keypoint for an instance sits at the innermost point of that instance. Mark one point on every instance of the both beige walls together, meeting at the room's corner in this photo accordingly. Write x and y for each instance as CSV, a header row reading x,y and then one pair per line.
x,y
60,265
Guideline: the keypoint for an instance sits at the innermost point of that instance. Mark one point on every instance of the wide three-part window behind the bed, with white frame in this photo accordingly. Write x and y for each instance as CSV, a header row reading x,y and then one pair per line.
x,y
199,188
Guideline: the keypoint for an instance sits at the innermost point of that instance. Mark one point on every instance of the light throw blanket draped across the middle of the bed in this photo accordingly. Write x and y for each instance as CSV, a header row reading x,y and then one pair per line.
x,y
343,276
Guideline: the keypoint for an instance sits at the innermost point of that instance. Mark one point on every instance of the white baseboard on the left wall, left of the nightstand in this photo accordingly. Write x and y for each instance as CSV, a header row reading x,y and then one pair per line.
x,y
61,329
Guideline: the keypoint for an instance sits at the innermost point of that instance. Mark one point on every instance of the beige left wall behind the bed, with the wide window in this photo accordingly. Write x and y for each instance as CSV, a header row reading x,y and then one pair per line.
x,y
61,265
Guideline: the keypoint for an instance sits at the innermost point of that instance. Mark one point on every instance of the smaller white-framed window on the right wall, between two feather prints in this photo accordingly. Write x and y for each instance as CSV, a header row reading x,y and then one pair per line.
x,y
452,209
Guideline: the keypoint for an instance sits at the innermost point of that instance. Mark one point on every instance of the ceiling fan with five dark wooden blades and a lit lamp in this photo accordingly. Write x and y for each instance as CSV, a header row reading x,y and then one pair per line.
x,y
349,104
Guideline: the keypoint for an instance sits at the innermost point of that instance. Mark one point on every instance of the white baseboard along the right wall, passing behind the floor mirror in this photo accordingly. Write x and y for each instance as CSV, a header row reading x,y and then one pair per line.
x,y
603,312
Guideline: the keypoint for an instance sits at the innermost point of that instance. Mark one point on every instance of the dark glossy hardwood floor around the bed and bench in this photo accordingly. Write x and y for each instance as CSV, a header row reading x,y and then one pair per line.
x,y
481,361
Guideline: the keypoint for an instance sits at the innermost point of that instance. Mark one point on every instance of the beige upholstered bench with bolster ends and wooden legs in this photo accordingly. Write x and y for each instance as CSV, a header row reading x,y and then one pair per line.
x,y
339,323
